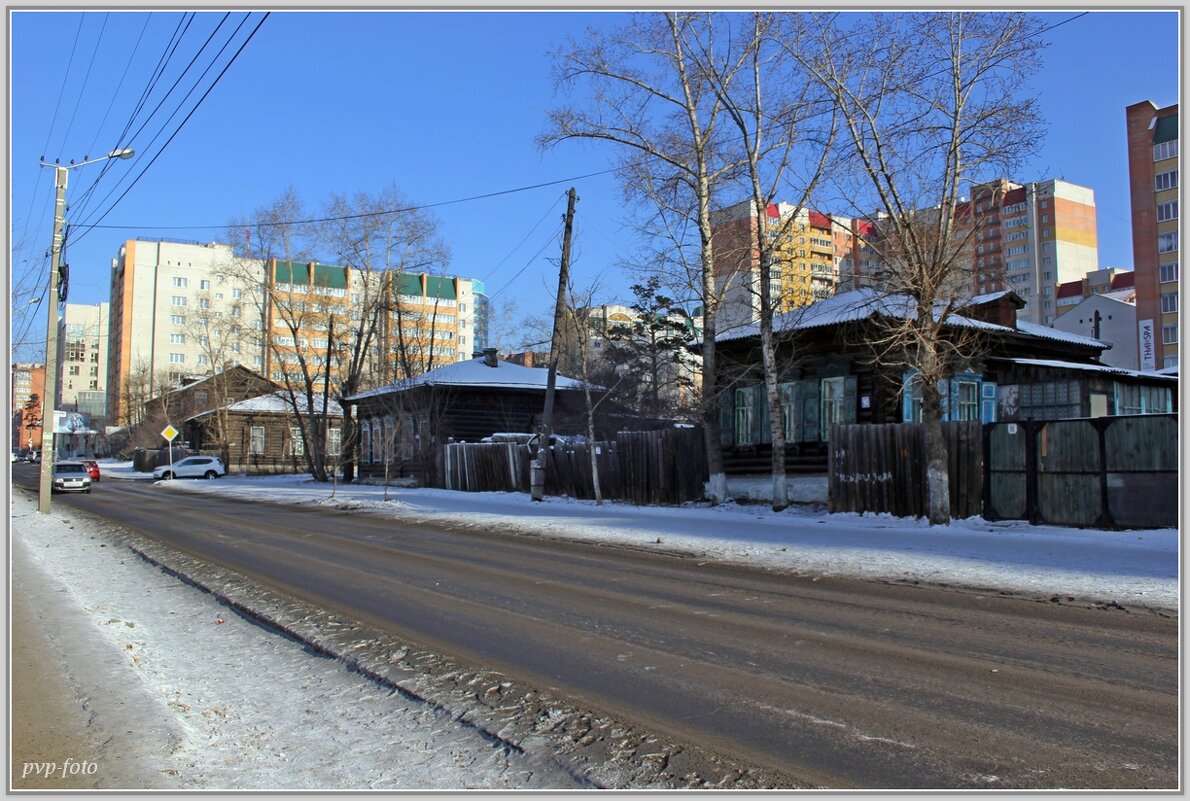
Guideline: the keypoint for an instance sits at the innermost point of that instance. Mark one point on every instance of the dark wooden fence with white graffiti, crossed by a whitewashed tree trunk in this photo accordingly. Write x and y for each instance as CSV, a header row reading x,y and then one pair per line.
x,y
882,468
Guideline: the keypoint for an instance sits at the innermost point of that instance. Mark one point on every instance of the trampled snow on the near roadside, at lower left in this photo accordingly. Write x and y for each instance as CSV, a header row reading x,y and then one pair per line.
x,y
249,709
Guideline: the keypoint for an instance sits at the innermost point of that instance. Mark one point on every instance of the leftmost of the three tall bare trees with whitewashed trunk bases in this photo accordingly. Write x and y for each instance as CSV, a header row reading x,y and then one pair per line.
x,y
650,99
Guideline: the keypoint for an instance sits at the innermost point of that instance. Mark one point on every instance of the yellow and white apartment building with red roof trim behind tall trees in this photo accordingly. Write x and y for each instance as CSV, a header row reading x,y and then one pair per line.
x,y
810,249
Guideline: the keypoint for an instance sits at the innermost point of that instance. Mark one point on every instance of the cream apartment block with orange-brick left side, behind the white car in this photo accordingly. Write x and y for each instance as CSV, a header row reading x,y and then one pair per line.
x,y
178,309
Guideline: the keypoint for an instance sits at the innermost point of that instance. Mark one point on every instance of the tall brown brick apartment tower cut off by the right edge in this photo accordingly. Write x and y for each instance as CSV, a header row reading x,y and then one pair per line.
x,y
1154,186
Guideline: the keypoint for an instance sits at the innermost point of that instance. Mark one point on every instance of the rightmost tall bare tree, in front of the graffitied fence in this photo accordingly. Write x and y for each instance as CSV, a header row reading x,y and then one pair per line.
x,y
932,104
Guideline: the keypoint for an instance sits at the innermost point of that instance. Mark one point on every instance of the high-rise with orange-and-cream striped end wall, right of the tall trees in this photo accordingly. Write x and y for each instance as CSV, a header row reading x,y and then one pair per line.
x,y
1030,239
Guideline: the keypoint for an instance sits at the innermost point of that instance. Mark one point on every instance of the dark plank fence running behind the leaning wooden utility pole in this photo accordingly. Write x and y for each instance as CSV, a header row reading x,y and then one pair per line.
x,y
648,468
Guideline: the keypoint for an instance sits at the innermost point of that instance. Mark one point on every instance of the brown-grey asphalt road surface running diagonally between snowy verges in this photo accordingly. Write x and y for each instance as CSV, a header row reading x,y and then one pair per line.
x,y
837,683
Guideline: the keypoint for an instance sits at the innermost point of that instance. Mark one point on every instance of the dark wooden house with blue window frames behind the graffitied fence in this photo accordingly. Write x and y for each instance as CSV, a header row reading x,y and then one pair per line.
x,y
832,374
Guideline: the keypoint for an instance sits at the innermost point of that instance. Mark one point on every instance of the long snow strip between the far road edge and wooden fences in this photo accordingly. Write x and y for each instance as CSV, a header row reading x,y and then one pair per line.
x,y
1137,568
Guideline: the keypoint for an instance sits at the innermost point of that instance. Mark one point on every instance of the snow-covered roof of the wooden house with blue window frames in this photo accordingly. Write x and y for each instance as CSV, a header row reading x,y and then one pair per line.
x,y
866,303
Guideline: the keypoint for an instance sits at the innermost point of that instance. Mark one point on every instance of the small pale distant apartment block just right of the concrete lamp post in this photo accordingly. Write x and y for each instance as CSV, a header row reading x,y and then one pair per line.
x,y
83,360
